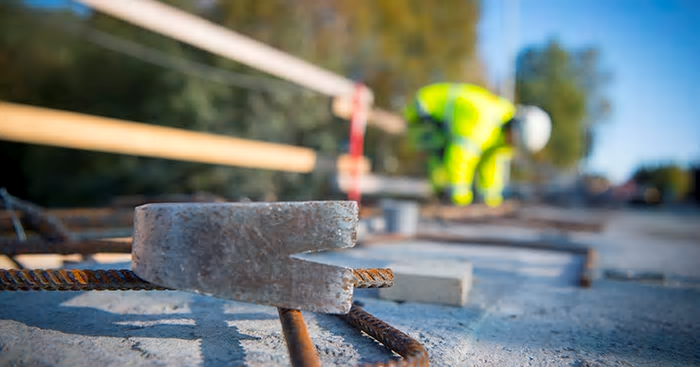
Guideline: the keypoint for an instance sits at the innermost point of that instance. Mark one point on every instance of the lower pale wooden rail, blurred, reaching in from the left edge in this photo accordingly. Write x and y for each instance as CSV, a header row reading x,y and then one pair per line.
x,y
44,126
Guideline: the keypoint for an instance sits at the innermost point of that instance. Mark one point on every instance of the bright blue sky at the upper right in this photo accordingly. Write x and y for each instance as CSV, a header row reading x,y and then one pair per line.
x,y
652,48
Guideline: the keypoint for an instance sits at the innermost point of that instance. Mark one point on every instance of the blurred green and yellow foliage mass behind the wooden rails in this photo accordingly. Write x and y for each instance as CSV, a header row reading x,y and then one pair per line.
x,y
61,60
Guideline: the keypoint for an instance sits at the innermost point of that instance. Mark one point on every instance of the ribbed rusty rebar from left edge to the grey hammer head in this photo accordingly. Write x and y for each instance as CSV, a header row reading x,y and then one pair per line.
x,y
72,280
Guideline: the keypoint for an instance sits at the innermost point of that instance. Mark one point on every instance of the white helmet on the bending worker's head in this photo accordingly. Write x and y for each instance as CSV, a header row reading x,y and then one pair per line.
x,y
533,127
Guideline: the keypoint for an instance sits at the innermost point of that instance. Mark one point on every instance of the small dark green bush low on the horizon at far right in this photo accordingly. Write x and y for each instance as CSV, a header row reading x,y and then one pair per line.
x,y
672,181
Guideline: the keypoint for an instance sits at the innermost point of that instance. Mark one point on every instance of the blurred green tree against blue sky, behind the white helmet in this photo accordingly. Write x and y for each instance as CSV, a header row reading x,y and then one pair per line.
x,y
568,84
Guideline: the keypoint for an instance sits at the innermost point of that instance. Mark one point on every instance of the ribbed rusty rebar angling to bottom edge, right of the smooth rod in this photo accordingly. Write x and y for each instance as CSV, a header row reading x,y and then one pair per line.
x,y
413,353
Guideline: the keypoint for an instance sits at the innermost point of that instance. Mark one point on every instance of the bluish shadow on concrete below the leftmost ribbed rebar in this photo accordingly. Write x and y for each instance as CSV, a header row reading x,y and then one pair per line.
x,y
205,320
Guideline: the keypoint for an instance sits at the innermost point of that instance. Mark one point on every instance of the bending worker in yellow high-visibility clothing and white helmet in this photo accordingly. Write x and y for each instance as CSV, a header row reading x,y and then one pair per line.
x,y
470,135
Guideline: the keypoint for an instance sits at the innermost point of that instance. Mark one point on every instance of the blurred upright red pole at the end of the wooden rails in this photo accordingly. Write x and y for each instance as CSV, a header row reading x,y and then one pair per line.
x,y
358,124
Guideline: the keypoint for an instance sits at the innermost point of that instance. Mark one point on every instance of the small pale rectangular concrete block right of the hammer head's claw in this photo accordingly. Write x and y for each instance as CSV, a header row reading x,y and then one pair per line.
x,y
444,282
